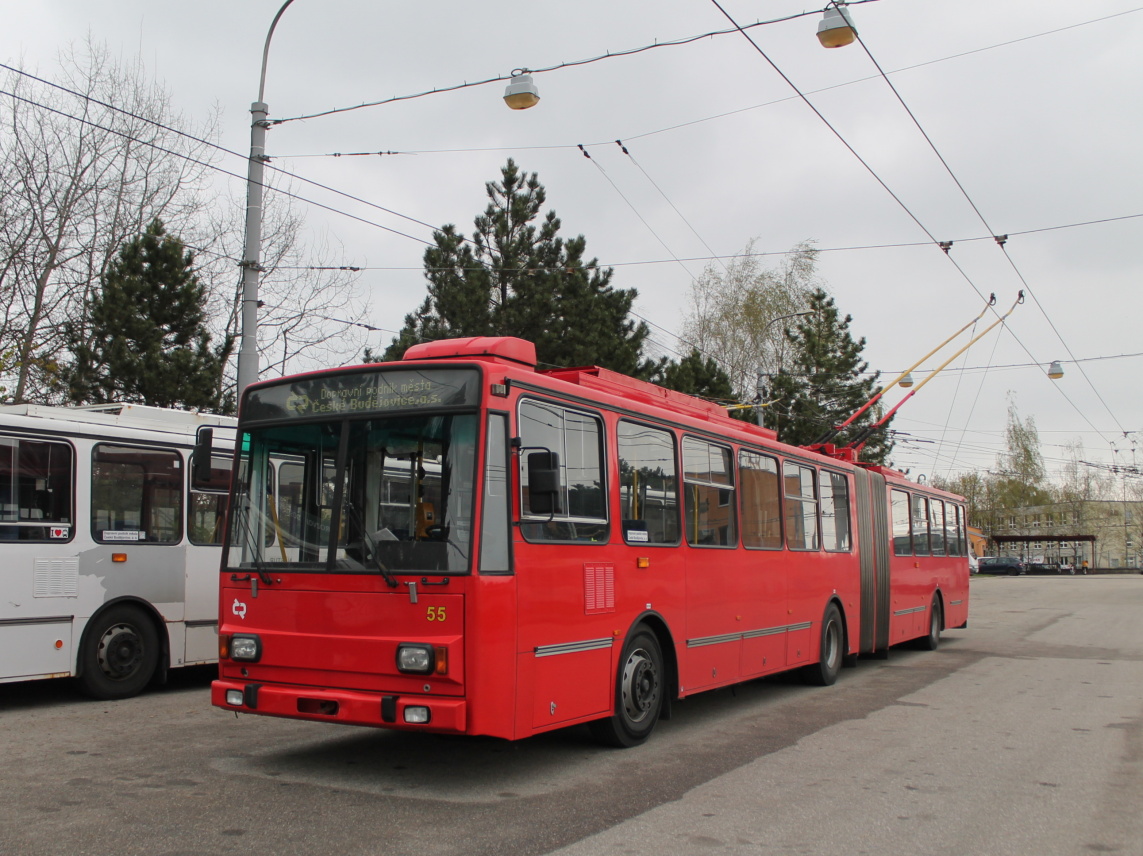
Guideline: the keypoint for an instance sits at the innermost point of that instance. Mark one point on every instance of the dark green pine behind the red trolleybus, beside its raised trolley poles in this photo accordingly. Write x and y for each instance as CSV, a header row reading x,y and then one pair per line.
x,y
824,383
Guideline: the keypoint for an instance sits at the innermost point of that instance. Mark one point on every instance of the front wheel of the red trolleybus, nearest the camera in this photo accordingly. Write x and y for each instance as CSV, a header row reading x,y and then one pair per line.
x,y
640,687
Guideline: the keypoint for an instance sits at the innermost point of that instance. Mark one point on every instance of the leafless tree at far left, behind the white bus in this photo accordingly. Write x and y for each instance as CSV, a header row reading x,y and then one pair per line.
x,y
86,163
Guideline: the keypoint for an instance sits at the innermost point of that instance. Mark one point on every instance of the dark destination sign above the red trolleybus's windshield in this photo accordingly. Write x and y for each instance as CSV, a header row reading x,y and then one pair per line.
x,y
363,394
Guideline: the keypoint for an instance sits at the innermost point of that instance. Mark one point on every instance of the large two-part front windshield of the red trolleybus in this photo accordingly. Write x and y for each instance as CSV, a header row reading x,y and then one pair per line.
x,y
382,494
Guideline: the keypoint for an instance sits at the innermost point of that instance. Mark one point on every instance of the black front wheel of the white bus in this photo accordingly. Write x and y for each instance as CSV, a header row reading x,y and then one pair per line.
x,y
121,654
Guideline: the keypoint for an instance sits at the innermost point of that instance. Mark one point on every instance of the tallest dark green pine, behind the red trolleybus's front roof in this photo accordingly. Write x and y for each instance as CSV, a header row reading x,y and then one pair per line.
x,y
517,277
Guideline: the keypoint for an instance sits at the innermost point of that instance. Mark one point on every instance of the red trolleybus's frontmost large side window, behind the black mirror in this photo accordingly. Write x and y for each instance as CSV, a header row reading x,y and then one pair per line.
x,y
578,441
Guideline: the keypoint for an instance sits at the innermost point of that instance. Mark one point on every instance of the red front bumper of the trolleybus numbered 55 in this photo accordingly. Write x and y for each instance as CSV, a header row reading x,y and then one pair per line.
x,y
380,710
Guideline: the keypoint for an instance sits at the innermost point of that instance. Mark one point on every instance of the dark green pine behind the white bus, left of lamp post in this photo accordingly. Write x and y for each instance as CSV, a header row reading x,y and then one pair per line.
x,y
147,340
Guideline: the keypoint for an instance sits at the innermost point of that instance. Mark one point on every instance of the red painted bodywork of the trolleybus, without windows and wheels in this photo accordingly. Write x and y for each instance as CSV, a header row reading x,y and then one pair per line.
x,y
538,649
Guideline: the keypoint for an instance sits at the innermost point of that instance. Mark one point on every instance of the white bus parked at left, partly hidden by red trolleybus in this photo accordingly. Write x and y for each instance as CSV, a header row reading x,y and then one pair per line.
x,y
109,557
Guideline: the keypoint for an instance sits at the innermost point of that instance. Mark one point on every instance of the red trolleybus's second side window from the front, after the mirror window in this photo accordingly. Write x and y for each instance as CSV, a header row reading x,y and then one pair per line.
x,y
649,485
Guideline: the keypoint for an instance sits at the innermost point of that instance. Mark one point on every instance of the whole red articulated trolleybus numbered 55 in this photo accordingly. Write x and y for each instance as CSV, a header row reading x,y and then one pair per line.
x,y
461,543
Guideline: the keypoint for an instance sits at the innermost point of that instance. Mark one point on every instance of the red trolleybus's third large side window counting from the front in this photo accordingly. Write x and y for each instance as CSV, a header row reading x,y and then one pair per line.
x,y
708,471
